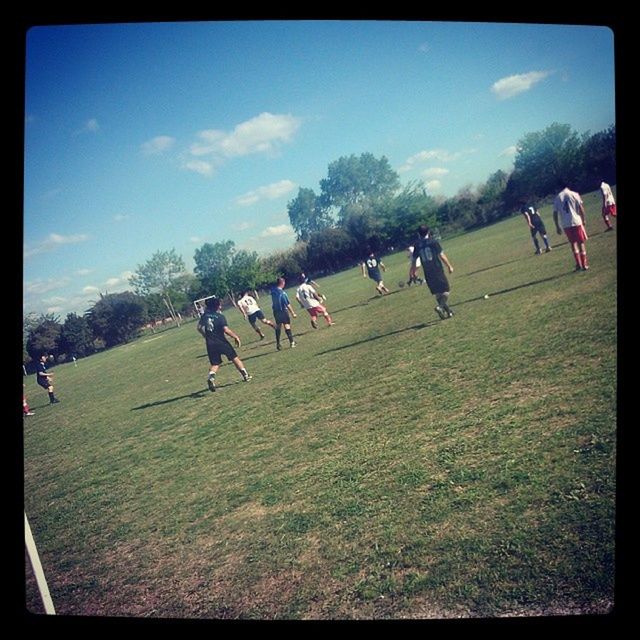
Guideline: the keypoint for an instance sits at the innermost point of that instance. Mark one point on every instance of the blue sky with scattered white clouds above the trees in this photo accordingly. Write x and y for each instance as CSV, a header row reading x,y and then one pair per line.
x,y
147,137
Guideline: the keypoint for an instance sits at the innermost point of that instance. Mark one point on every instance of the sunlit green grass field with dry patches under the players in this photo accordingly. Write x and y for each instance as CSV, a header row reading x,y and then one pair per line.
x,y
392,466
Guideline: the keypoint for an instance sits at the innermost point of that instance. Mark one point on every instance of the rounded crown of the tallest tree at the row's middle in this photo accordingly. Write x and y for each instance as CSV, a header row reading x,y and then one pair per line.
x,y
354,179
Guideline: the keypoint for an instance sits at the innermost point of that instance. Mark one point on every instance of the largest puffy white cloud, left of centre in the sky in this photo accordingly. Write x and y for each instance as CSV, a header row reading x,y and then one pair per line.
x,y
262,134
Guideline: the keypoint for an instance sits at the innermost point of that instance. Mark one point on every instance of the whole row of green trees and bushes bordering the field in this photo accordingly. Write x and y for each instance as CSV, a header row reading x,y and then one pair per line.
x,y
359,205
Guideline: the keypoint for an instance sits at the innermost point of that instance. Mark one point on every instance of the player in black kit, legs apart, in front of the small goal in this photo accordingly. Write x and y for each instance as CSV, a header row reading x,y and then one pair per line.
x,y
213,327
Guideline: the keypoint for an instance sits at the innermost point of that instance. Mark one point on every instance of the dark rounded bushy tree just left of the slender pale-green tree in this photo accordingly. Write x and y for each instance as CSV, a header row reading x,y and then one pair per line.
x,y
118,317
